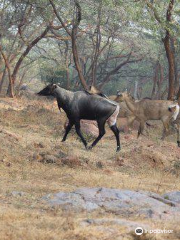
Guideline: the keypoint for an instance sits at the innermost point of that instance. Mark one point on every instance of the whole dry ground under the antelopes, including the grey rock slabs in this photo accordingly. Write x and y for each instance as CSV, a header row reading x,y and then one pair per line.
x,y
55,190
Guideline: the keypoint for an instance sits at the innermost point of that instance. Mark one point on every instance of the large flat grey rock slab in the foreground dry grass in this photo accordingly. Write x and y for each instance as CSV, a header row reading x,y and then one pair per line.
x,y
123,202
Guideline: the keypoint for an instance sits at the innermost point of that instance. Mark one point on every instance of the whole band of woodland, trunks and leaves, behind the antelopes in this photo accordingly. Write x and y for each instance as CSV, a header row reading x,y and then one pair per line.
x,y
111,44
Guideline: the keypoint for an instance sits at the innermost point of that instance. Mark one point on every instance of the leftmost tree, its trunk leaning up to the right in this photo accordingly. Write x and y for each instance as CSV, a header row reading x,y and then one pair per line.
x,y
22,40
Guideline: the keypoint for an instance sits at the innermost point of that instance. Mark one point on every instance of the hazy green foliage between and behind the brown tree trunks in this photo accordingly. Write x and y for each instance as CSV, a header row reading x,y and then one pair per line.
x,y
129,26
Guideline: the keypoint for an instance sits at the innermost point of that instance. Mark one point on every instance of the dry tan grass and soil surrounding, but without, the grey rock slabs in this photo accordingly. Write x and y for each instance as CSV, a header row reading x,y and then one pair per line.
x,y
34,162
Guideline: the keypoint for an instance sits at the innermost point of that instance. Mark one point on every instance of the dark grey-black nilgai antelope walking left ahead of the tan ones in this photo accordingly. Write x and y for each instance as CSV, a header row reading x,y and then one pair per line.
x,y
84,105
